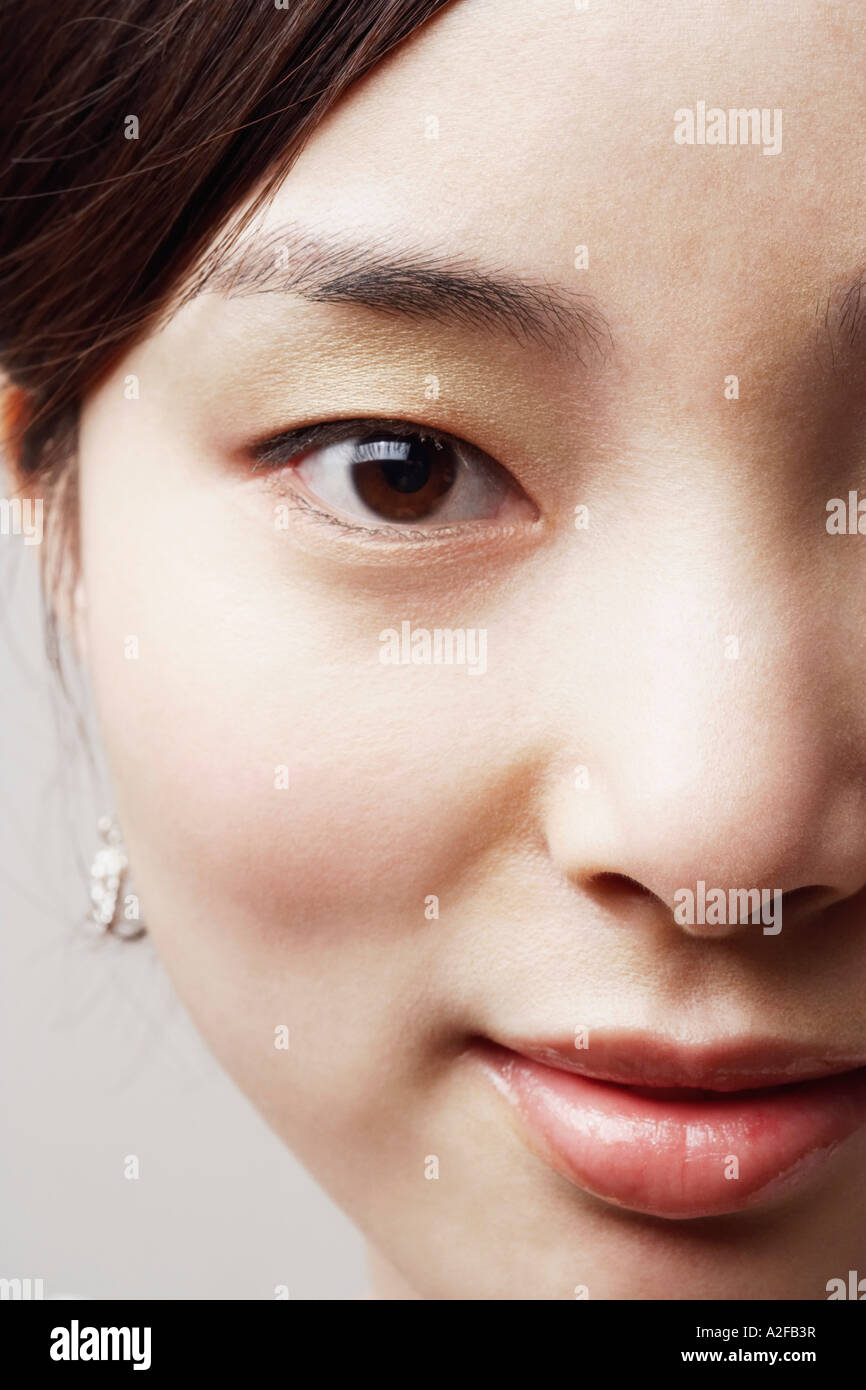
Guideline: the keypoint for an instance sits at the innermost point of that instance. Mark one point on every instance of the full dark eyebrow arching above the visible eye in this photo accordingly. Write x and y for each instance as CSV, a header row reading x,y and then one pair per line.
x,y
415,283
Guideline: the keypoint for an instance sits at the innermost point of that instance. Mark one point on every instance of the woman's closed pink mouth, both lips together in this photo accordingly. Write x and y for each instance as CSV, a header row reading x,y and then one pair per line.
x,y
679,1132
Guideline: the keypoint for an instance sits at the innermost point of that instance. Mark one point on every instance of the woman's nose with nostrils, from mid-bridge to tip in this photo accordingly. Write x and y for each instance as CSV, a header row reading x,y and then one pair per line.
x,y
717,782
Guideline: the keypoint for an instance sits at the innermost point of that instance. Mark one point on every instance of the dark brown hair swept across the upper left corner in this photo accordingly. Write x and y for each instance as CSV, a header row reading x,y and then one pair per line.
x,y
98,229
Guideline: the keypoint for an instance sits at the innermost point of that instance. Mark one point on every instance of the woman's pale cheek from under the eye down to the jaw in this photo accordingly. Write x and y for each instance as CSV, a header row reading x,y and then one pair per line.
x,y
288,803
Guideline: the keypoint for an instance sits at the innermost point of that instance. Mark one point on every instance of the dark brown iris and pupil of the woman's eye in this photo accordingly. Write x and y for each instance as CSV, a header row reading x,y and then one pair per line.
x,y
404,477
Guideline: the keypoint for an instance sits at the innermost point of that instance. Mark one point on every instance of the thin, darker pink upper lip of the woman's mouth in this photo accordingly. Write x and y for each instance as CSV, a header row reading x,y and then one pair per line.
x,y
643,1060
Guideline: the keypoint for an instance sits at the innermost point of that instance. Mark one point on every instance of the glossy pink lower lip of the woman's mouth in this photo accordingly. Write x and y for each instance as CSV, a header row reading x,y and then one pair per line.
x,y
678,1159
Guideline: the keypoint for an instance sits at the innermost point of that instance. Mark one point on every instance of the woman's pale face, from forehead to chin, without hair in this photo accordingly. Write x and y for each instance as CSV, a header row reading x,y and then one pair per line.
x,y
457,883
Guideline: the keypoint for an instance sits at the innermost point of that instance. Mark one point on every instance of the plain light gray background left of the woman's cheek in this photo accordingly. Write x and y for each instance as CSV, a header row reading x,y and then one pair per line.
x,y
98,1058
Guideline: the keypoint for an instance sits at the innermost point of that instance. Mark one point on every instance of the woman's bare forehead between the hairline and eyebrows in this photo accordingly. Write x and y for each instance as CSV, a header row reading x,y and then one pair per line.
x,y
515,131
